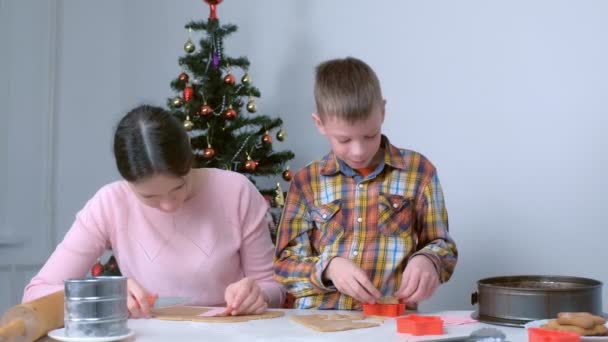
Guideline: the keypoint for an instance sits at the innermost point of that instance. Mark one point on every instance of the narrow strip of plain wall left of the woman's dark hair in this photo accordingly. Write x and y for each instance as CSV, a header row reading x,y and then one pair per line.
x,y
89,101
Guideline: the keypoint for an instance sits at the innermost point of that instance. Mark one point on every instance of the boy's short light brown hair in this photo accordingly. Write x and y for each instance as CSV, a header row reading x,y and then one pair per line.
x,y
346,89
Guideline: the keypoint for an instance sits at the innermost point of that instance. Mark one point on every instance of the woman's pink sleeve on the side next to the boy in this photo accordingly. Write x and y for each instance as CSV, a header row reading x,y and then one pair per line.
x,y
257,250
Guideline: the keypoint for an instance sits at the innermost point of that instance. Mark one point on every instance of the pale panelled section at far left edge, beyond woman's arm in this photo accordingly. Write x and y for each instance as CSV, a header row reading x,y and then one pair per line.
x,y
26,111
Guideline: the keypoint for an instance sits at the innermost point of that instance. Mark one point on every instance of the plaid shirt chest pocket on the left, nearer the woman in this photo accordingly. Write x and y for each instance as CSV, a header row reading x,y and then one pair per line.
x,y
328,222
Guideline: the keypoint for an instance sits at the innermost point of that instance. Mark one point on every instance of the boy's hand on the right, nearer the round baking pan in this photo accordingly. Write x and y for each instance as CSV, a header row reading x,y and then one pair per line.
x,y
419,280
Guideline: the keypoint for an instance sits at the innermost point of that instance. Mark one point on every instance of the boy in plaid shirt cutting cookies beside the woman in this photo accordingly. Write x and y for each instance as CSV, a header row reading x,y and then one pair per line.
x,y
368,220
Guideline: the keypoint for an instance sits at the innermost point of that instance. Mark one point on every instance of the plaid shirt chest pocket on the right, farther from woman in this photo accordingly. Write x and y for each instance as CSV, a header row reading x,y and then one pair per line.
x,y
395,214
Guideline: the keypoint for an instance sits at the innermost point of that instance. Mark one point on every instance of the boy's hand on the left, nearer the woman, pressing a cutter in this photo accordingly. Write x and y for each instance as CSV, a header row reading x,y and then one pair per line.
x,y
349,279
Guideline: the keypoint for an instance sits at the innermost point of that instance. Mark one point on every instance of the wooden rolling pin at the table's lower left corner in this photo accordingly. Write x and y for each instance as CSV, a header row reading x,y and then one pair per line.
x,y
29,321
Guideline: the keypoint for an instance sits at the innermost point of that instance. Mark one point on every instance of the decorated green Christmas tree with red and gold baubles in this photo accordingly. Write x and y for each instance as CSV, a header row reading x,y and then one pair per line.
x,y
212,103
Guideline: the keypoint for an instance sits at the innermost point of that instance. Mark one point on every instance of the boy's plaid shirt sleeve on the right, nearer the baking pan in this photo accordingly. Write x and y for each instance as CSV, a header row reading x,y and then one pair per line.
x,y
434,240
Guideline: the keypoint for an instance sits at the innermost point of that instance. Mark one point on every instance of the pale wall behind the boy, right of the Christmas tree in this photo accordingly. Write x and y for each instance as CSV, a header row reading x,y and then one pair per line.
x,y
507,98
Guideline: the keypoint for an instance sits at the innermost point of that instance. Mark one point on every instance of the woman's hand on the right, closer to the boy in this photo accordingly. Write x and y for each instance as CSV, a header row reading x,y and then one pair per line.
x,y
245,297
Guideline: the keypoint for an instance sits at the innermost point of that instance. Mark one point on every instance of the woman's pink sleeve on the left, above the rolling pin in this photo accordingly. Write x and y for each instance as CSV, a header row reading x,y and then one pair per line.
x,y
82,245
